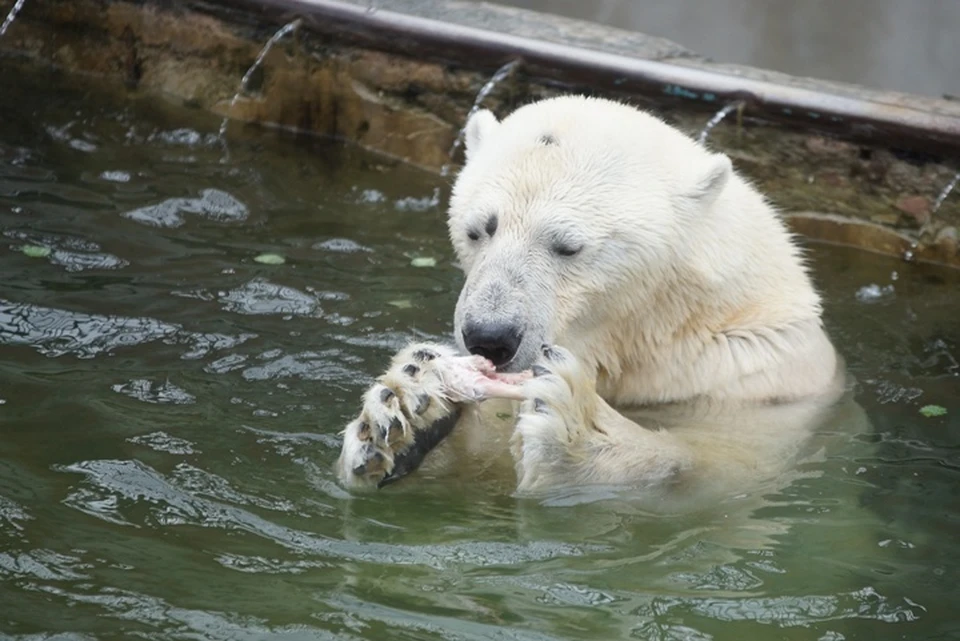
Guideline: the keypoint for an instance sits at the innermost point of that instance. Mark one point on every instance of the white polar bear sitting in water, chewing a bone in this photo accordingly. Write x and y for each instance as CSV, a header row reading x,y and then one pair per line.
x,y
637,311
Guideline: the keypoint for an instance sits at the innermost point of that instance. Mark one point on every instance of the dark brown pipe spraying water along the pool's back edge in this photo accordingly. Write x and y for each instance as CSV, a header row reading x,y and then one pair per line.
x,y
860,119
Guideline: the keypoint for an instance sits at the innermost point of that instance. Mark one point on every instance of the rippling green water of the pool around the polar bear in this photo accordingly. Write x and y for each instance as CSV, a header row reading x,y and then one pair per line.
x,y
170,410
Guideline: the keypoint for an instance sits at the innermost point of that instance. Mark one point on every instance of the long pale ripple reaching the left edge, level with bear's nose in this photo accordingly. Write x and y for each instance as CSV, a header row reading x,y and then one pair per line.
x,y
57,332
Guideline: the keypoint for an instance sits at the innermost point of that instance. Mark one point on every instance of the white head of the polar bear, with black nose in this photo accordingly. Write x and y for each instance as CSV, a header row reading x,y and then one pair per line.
x,y
568,214
